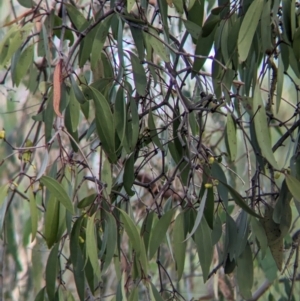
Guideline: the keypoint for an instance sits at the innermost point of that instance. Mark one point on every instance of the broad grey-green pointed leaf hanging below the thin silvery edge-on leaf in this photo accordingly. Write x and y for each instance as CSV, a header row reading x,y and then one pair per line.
x,y
204,247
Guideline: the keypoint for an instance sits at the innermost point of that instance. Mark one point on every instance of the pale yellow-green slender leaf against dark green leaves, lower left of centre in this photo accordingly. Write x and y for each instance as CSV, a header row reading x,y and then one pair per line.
x,y
91,245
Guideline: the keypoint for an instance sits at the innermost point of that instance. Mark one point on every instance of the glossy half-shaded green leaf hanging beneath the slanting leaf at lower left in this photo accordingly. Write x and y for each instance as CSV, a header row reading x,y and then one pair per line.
x,y
51,221
